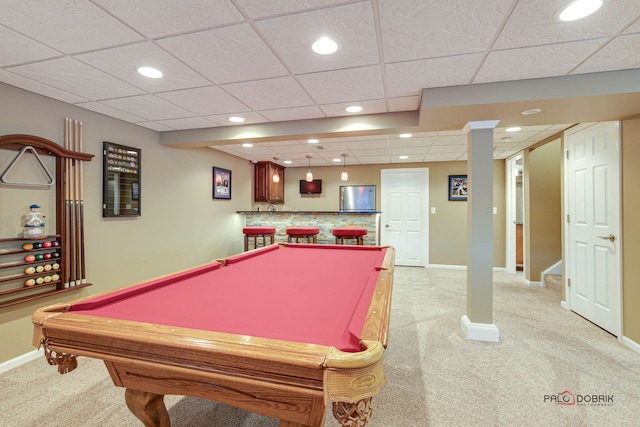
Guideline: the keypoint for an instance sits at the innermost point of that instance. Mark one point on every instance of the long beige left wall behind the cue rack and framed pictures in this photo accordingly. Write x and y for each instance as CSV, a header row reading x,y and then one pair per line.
x,y
181,225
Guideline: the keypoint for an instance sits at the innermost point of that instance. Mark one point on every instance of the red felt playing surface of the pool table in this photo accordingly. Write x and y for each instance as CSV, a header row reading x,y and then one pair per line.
x,y
303,293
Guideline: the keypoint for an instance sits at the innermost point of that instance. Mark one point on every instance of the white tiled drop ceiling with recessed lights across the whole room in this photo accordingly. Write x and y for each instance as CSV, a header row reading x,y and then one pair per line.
x,y
253,58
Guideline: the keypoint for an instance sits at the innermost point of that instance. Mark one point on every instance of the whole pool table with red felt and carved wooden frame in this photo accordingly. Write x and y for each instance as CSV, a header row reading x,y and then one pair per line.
x,y
281,331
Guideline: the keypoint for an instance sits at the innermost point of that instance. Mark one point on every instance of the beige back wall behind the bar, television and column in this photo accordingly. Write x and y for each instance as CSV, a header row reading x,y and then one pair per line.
x,y
447,228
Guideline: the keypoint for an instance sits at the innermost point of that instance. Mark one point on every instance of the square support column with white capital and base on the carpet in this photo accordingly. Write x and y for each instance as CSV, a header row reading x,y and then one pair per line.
x,y
477,324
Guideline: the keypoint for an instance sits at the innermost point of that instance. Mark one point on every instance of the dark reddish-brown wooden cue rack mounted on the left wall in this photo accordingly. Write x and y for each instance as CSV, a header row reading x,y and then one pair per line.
x,y
64,157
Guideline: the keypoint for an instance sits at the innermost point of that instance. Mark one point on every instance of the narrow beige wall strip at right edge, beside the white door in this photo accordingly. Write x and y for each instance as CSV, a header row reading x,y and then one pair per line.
x,y
631,228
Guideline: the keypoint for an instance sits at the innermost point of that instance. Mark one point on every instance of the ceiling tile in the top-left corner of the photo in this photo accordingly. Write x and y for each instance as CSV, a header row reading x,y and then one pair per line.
x,y
85,25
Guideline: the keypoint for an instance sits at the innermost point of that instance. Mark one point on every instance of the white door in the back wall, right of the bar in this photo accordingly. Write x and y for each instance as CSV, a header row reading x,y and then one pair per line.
x,y
404,219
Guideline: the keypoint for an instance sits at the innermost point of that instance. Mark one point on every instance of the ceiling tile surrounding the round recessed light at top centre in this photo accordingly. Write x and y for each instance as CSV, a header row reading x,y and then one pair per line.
x,y
292,36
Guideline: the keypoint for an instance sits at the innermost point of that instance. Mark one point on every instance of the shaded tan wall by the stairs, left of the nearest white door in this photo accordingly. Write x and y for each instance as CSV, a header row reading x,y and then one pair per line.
x,y
543,220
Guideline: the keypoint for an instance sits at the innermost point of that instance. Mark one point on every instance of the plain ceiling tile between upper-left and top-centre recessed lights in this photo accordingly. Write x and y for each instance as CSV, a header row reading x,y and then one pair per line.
x,y
208,52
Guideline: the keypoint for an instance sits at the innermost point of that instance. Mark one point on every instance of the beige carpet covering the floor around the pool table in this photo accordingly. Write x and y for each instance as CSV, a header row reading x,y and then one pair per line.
x,y
436,377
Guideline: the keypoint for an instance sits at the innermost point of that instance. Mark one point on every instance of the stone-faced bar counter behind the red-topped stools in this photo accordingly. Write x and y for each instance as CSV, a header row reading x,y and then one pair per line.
x,y
324,220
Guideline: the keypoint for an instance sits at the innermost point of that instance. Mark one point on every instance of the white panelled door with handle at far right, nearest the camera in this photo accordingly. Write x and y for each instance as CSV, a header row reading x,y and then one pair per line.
x,y
593,196
